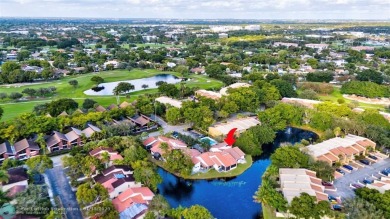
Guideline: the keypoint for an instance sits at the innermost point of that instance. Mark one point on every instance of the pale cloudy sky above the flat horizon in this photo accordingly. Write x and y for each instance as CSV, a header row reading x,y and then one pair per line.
x,y
199,9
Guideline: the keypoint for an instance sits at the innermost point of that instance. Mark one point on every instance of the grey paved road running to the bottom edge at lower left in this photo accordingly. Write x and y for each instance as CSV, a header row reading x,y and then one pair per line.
x,y
61,187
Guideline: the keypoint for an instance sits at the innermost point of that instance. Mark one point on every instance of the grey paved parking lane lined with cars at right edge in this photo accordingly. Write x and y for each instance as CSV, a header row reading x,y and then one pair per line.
x,y
343,183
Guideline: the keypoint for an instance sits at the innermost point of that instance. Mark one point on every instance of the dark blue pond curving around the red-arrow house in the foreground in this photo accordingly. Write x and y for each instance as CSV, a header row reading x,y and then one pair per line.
x,y
229,198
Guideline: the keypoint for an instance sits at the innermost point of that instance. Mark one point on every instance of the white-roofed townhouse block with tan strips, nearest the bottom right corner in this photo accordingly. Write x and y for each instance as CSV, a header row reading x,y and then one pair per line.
x,y
293,182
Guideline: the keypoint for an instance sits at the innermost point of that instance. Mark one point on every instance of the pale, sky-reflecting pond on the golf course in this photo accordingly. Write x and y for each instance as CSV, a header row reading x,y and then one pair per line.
x,y
151,82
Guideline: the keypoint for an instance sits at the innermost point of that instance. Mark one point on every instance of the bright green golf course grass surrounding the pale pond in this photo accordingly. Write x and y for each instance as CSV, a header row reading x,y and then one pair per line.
x,y
64,90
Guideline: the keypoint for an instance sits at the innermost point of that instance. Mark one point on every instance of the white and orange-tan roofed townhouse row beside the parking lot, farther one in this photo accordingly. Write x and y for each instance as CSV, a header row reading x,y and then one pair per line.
x,y
340,150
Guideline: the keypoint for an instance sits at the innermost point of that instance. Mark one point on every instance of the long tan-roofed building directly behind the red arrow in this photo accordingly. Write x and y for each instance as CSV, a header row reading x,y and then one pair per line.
x,y
242,124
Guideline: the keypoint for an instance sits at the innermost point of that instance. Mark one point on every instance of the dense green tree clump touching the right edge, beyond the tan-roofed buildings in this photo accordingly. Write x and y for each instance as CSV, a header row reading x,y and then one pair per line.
x,y
365,89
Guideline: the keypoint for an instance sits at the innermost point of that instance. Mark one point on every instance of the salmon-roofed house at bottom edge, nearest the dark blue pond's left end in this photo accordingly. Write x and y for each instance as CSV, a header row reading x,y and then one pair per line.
x,y
133,203
